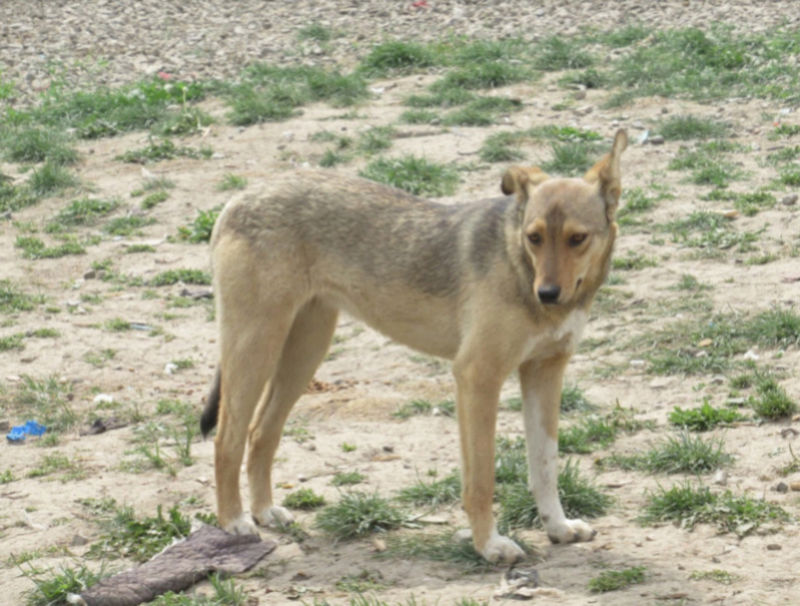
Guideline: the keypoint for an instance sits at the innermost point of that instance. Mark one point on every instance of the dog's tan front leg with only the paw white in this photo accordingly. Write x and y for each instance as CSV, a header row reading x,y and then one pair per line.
x,y
477,398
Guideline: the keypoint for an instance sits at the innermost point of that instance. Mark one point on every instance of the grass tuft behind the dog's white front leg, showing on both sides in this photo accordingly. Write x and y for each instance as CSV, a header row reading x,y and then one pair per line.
x,y
579,497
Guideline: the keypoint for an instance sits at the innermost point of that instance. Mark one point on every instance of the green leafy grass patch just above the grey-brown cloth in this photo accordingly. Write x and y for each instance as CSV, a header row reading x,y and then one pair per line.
x,y
128,536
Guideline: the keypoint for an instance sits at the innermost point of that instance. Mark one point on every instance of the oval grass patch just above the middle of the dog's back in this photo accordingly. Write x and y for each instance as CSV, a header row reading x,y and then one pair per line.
x,y
413,174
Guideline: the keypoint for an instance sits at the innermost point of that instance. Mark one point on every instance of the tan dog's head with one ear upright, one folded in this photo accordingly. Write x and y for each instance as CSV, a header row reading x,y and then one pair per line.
x,y
568,226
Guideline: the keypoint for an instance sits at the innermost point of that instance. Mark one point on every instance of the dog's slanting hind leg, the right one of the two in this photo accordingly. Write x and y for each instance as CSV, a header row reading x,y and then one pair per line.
x,y
303,351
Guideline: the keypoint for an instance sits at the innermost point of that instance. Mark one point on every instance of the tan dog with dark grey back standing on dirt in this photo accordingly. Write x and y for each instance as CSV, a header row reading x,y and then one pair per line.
x,y
496,286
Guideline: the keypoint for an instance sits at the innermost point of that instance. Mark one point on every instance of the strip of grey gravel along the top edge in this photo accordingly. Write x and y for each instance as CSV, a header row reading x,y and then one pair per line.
x,y
110,42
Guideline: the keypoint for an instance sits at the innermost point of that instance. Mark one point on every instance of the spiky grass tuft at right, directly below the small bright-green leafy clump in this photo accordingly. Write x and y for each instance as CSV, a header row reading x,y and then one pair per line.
x,y
680,453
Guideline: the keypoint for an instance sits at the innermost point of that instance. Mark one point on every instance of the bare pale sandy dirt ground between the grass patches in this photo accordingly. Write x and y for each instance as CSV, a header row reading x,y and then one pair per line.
x,y
368,377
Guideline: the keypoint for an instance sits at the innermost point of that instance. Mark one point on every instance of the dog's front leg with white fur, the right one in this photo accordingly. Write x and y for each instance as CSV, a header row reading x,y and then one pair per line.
x,y
541,383
